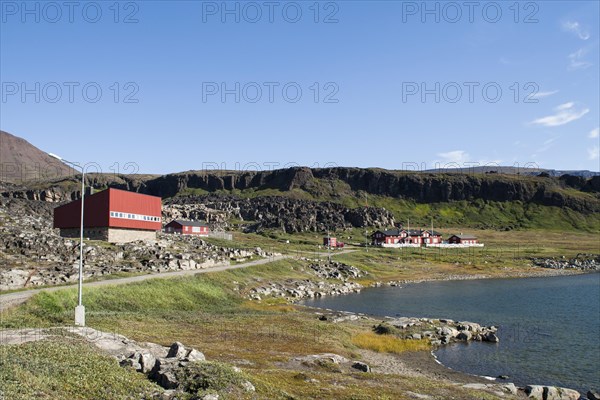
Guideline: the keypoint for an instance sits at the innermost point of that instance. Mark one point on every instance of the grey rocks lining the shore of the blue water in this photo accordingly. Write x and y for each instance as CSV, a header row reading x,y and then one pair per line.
x,y
437,332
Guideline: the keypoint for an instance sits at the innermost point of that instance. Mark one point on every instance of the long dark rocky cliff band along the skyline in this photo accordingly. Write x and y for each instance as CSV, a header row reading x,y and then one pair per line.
x,y
576,193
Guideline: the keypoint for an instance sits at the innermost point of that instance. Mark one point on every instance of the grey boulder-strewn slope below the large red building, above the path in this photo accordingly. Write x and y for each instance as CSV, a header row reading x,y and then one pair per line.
x,y
33,253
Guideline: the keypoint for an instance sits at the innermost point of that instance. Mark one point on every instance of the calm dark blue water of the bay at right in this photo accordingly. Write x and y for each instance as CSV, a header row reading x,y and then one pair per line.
x,y
549,328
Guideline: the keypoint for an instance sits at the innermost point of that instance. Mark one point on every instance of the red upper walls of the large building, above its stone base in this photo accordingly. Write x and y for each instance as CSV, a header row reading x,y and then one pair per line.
x,y
112,208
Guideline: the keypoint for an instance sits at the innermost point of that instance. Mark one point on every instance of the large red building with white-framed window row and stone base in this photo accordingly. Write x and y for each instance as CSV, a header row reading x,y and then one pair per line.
x,y
112,215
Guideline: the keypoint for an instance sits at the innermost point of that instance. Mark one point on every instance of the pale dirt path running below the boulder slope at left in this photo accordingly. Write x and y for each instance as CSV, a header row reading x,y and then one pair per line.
x,y
13,299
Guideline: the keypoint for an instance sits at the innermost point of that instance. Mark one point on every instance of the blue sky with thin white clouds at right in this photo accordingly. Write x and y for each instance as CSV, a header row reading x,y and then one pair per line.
x,y
182,85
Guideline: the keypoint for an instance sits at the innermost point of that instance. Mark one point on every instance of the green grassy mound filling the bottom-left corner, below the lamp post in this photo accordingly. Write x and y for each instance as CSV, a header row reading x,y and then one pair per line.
x,y
66,368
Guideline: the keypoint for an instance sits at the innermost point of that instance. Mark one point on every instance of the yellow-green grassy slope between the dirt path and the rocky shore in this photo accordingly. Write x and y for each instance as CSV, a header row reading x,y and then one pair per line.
x,y
206,312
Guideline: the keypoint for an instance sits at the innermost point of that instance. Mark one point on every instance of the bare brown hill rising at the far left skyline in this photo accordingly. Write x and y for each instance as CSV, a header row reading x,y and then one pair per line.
x,y
20,161
